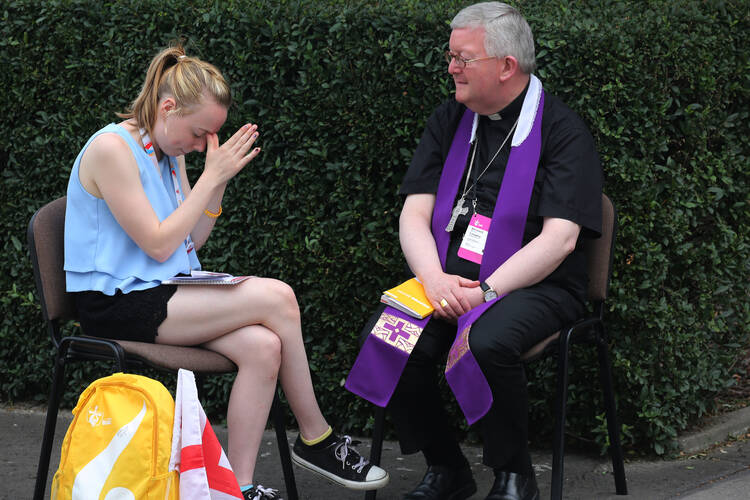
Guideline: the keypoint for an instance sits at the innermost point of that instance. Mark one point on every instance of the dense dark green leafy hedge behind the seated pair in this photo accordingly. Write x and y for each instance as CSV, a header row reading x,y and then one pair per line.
x,y
341,91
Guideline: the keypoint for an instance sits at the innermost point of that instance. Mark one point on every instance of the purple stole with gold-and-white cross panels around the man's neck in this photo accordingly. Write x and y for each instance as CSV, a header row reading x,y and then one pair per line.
x,y
379,365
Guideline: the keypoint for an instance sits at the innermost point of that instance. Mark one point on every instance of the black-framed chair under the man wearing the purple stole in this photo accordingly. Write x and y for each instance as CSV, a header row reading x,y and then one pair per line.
x,y
588,330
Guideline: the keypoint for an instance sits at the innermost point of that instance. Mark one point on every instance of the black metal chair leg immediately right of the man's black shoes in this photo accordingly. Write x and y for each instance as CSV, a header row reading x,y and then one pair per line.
x,y
558,451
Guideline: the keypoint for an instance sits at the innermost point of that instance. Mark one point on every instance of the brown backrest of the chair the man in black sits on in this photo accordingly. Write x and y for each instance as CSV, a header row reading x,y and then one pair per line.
x,y
599,253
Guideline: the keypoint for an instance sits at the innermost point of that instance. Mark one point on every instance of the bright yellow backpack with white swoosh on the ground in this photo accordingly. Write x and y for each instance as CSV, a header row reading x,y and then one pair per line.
x,y
119,443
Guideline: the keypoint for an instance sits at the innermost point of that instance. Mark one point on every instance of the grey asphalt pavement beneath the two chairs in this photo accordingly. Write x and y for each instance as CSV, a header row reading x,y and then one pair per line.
x,y
714,464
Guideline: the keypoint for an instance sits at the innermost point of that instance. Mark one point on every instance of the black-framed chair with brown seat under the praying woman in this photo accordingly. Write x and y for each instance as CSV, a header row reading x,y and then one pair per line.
x,y
46,247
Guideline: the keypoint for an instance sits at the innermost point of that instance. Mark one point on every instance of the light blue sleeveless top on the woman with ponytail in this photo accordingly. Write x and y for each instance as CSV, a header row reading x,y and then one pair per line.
x,y
99,255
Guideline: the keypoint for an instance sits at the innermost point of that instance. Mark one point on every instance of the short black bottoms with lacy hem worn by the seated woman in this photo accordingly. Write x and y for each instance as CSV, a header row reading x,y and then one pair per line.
x,y
124,316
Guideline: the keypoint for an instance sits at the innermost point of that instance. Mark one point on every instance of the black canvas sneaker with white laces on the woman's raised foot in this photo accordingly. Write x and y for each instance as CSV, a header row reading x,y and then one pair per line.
x,y
341,463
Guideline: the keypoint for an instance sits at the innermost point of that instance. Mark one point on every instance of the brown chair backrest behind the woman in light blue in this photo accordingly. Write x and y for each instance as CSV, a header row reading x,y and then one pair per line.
x,y
46,243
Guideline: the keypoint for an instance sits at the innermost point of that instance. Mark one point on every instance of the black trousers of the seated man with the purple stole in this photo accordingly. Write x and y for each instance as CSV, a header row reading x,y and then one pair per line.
x,y
497,340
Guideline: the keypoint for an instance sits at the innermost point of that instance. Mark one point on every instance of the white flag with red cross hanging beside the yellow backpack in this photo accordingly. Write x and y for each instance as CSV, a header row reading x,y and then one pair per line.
x,y
205,472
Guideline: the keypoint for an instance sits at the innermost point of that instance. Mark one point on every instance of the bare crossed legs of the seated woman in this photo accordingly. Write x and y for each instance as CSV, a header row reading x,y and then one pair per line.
x,y
256,324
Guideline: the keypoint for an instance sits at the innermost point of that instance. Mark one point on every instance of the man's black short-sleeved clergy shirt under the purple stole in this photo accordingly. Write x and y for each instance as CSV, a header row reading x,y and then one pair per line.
x,y
568,183
